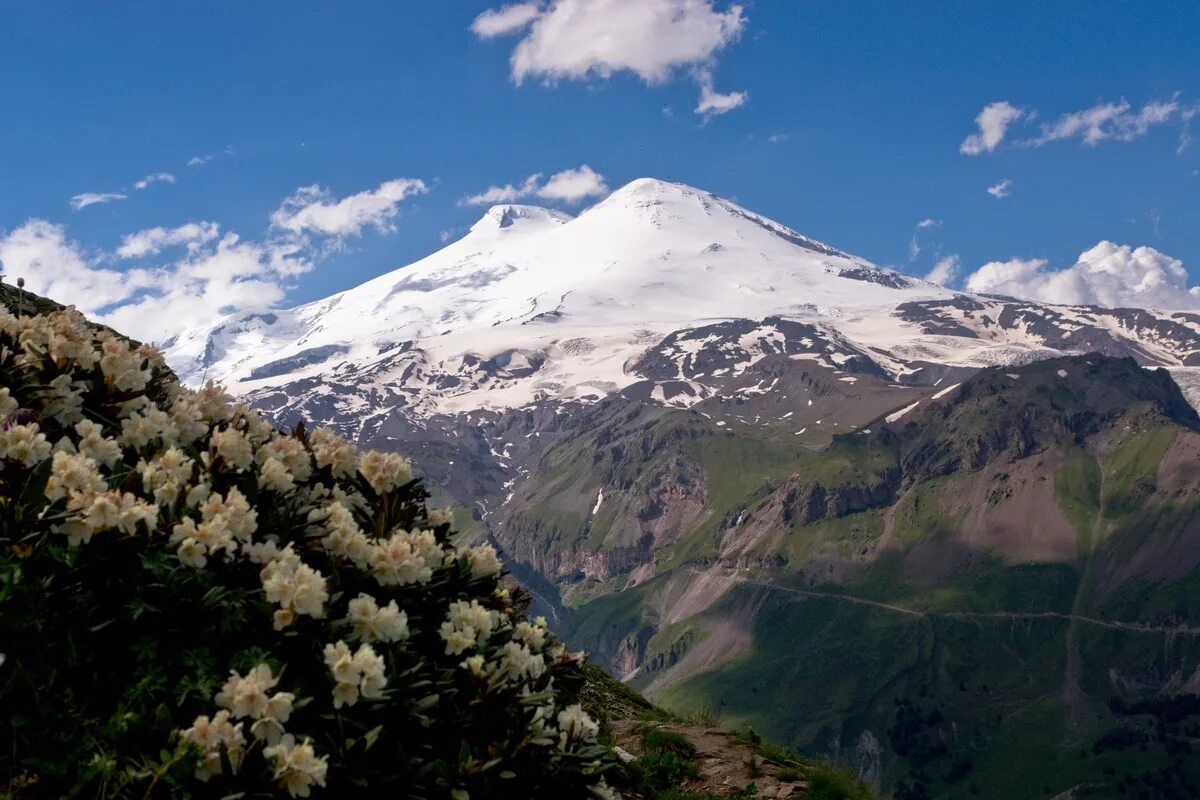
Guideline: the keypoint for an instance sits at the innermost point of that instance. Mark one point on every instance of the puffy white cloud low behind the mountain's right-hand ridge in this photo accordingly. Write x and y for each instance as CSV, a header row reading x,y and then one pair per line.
x,y
1107,275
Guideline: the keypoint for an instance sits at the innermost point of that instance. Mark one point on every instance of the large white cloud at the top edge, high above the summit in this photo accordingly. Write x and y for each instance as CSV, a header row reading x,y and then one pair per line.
x,y
652,39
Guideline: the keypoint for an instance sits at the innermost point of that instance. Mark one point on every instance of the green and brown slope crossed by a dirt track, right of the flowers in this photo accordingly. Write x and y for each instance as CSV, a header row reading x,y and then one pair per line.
x,y
980,582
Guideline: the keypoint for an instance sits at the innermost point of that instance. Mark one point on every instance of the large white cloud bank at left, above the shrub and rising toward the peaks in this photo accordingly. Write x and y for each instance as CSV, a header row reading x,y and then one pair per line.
x,y
211,274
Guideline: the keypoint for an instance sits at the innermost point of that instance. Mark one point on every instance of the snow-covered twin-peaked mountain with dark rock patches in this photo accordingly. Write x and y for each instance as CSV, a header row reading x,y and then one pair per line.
x,y
533,304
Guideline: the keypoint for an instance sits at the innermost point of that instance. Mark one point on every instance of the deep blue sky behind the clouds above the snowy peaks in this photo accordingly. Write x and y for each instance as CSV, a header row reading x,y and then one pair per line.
x,y
869,105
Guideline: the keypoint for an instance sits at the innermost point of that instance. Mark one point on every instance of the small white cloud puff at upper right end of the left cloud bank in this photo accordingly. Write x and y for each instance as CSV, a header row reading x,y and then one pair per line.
x,y
313,209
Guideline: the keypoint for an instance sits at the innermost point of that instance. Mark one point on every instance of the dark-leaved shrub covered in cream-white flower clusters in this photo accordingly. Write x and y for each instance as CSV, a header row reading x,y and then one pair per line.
x,y
194,604
